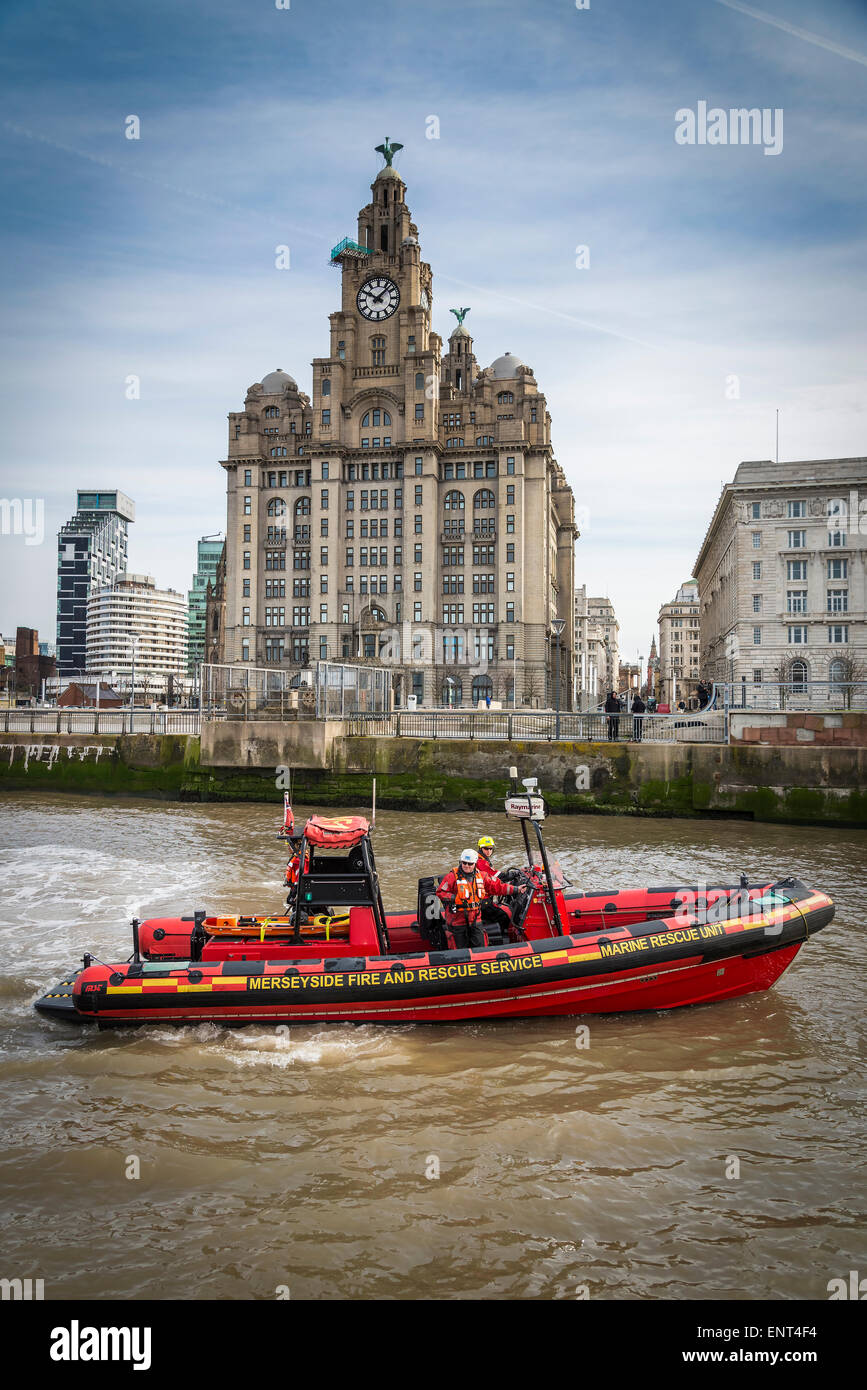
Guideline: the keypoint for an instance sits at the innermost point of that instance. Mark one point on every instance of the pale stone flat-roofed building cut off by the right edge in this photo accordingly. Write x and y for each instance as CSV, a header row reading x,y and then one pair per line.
x,y
783,575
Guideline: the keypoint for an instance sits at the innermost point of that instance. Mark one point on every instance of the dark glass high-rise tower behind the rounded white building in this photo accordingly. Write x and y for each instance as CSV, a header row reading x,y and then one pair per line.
x,y
91,554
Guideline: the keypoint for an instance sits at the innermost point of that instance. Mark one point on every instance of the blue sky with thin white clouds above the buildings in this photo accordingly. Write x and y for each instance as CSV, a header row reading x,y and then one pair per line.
x,y
156,256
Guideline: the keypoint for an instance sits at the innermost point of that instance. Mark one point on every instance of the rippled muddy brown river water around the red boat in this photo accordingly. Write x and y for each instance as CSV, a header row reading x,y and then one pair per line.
x,y
708,1153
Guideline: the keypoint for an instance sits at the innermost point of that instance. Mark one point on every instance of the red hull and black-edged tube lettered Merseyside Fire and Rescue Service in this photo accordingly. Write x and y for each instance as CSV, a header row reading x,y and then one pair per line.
x,y
662,964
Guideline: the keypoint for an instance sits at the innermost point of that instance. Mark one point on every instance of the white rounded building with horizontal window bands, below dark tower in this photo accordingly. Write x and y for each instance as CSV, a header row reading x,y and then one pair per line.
x,y
134,618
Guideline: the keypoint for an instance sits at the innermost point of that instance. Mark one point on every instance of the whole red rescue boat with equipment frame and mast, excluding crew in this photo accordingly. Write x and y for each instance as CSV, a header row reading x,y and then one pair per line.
x,y
337,956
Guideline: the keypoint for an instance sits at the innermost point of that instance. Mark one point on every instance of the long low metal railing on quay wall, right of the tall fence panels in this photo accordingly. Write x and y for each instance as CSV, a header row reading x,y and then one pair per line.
x,y
484,725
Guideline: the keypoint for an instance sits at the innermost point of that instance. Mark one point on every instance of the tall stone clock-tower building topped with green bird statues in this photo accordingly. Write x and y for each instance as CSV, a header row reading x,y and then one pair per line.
x,y
411,512
